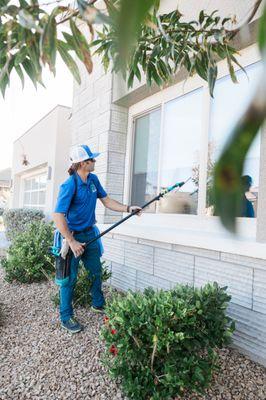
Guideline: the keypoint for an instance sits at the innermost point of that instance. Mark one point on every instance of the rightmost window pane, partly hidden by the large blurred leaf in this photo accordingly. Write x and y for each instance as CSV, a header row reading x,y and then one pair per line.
x,y
229,102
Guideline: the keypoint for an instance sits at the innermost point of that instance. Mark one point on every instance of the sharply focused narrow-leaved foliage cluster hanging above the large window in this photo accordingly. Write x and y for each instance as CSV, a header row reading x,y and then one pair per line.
x,y
165,44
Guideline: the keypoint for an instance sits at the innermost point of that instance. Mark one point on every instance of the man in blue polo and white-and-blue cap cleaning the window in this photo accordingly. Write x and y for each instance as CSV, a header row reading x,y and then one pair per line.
x,y
74,218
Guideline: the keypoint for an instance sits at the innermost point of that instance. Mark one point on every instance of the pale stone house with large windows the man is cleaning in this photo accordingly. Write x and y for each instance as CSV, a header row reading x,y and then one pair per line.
x,y
151,138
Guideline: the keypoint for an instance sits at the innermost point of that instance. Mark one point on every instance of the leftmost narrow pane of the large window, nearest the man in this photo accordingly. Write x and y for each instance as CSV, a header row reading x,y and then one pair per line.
x,y
146,157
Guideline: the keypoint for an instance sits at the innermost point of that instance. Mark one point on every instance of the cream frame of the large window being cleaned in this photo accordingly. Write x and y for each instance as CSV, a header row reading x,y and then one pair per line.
x,y
248,56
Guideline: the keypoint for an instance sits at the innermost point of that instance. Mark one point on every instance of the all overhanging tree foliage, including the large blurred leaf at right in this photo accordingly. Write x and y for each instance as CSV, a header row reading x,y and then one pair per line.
x,y
136,40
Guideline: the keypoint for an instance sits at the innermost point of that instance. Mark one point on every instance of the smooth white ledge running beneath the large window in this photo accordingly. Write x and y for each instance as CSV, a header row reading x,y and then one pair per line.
x,y
194,231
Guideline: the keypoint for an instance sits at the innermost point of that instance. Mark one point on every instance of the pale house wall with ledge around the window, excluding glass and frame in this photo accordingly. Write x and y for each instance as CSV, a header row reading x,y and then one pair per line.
x,y
162,250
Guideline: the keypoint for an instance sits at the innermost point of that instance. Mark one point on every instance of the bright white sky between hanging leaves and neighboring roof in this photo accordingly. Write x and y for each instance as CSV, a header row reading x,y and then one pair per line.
x,y
20,109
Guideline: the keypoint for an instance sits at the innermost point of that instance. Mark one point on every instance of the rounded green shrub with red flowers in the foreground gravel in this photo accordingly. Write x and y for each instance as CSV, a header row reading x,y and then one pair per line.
x,y
161,344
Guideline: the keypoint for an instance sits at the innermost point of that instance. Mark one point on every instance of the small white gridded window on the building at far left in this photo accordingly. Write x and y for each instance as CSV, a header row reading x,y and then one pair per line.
x,y
34,192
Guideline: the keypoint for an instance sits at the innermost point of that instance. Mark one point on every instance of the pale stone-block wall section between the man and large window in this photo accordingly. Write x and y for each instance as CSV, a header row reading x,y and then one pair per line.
x,y
102,125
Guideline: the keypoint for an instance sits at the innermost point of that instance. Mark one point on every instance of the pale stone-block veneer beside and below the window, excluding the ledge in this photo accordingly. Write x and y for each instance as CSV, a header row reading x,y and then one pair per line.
x,y
138,263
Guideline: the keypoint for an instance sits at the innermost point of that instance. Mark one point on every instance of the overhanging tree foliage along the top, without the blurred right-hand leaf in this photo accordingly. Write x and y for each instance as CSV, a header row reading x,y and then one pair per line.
x,y
134,37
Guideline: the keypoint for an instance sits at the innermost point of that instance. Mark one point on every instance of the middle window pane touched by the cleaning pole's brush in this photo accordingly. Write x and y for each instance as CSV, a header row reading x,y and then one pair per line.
x,y
182,133
